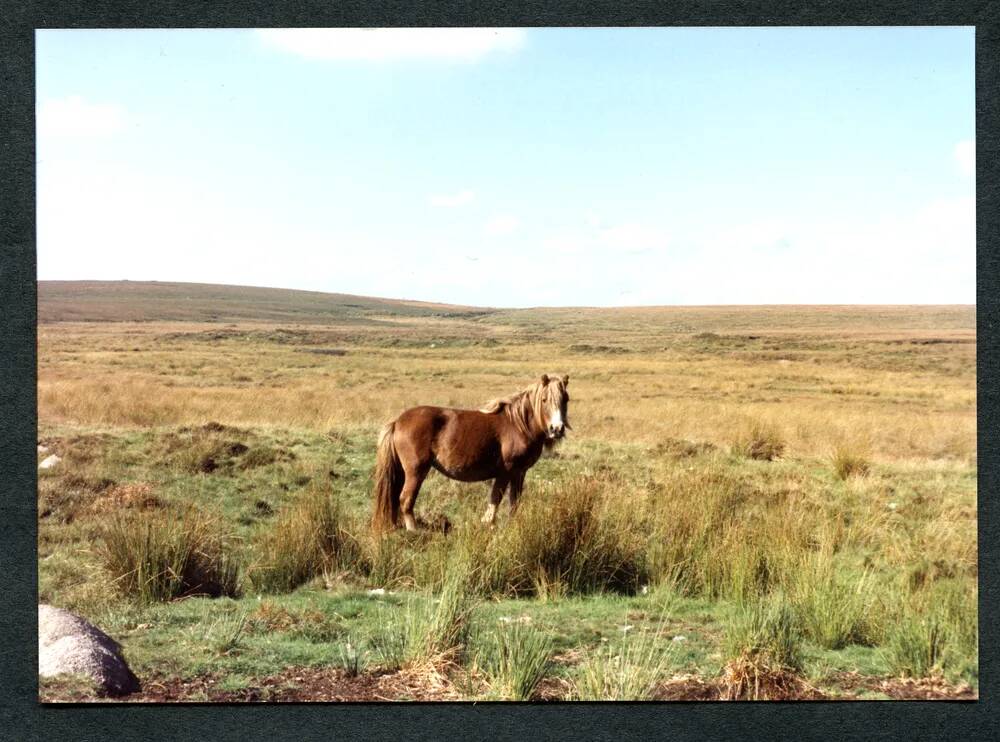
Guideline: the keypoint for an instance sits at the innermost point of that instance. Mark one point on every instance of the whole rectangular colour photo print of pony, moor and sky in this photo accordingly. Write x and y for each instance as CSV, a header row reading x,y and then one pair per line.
x,y
501,364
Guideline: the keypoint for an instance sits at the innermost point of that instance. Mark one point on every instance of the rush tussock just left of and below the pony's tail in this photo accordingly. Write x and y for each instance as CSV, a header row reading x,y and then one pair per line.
x,y
311,536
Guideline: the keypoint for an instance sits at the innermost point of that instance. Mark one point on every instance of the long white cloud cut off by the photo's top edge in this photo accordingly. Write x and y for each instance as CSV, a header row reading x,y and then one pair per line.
x,y
376,44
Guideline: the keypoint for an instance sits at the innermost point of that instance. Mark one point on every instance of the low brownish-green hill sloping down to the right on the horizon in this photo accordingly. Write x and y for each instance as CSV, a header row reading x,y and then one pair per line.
x,y
132,301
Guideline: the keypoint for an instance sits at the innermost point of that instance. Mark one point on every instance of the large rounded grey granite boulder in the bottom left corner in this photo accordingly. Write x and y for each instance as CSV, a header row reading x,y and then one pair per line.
x,y
69,644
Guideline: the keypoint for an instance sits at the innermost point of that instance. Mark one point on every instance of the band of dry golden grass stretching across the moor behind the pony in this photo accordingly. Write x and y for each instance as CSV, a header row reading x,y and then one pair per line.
x,y
911,392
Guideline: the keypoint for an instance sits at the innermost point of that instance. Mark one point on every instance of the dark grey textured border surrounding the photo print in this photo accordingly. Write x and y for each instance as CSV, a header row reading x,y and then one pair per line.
x,y
22,717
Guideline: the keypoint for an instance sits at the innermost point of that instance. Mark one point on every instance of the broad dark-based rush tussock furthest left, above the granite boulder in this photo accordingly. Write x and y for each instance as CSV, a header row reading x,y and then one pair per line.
x,y
162,556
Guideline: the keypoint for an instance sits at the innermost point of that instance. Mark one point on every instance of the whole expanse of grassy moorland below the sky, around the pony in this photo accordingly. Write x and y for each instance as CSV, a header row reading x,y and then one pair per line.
x,y
753,503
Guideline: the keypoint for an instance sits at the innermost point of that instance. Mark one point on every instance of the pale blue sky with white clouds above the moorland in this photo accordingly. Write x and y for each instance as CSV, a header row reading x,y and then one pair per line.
x,y
538,167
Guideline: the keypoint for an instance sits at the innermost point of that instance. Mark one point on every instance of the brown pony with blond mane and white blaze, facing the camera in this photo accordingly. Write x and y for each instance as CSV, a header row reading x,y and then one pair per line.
x,y
500,441
